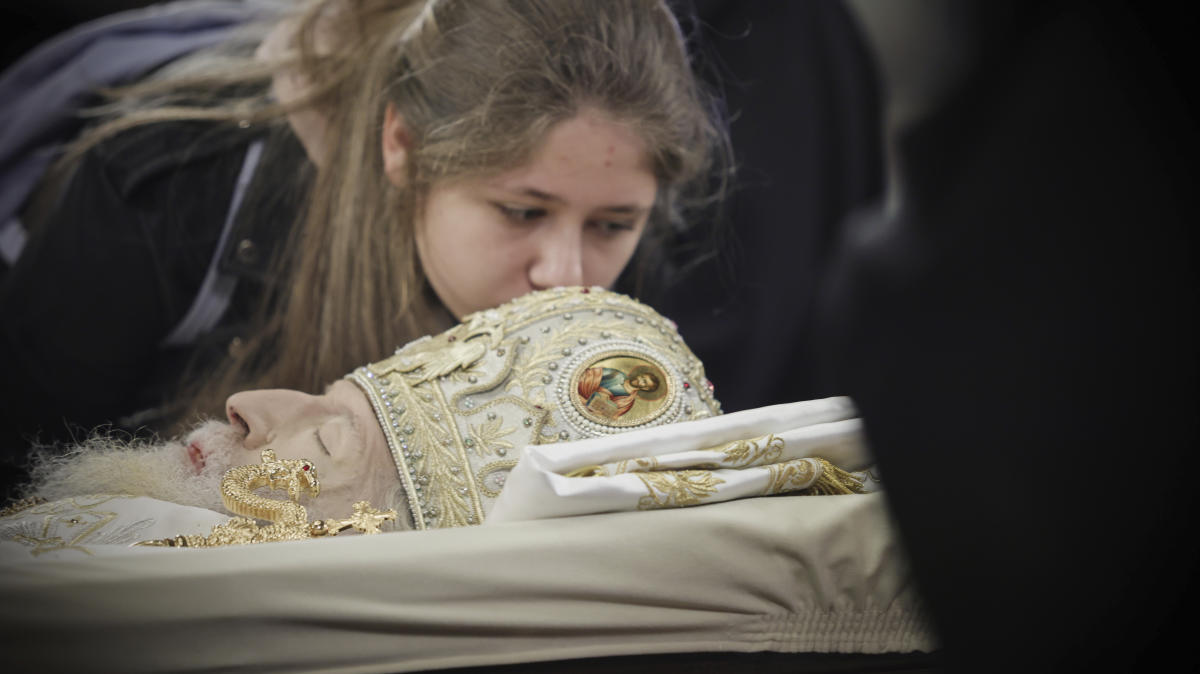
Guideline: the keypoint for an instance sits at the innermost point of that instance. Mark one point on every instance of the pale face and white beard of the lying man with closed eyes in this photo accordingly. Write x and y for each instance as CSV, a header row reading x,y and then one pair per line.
x,y
337,431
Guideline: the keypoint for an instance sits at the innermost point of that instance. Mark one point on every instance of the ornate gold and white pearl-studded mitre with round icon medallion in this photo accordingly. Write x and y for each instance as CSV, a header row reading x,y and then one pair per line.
x,y
549,368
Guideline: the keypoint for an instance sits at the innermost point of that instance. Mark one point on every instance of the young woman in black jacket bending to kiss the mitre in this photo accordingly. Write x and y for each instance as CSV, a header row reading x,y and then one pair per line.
x,y
347,178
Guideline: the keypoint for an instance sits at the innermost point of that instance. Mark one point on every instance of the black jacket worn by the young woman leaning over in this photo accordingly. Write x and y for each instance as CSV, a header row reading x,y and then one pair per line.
x,y
104,311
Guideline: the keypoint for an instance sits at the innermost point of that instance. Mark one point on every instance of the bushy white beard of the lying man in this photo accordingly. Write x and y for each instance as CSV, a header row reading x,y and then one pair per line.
x,y
106,465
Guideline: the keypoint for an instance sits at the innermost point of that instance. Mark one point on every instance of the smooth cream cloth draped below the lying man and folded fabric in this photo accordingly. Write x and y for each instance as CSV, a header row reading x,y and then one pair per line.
x,y
785,574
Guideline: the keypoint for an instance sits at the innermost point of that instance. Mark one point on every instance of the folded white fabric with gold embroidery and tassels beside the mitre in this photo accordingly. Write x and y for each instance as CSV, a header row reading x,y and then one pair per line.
x,y
813,447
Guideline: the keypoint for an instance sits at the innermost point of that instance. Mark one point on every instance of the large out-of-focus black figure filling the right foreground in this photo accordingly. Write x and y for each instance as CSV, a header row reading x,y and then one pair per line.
x,y
1019,338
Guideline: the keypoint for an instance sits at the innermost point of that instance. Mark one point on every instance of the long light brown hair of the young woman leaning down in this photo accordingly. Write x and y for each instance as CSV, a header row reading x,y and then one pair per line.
x,y
479,83
